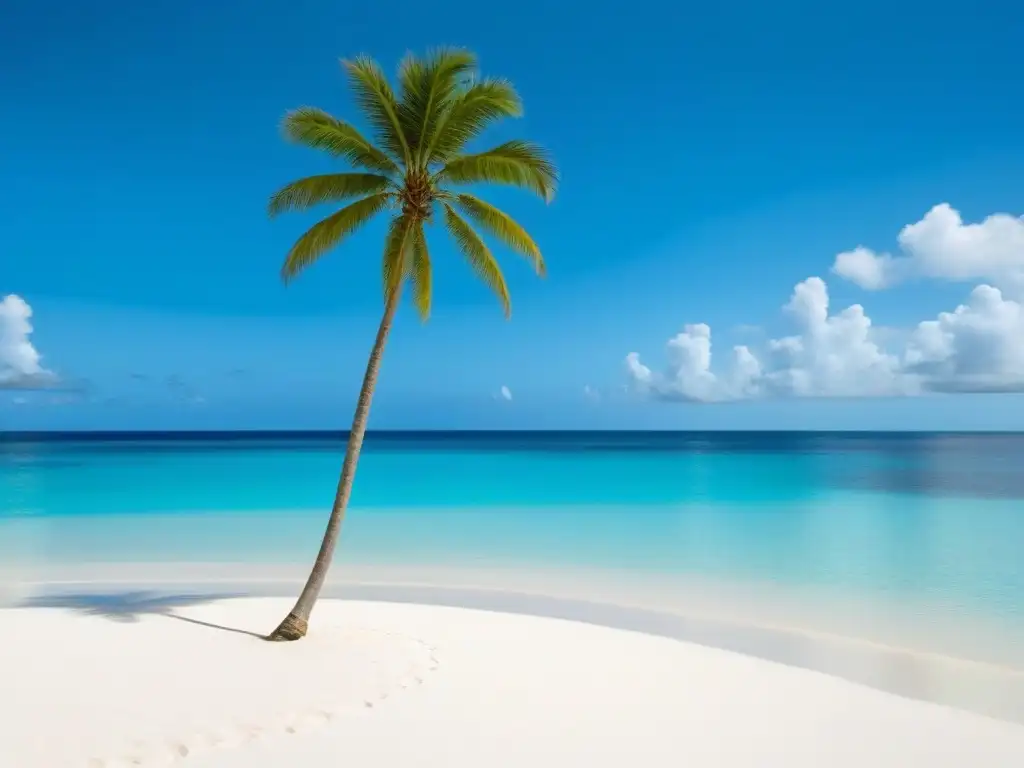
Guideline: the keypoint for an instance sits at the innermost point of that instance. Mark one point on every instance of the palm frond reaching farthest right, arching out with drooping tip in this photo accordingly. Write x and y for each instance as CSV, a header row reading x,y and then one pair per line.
x,y
516,163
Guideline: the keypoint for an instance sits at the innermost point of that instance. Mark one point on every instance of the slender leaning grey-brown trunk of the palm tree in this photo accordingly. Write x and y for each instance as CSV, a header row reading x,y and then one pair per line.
x,y
296,623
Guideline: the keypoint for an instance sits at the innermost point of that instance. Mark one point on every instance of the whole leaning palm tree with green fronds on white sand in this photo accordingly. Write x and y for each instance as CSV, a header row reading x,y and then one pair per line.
x,y
420,153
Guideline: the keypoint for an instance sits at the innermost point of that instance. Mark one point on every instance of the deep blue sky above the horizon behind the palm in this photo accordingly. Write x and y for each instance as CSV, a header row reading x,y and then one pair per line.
x,y
712,161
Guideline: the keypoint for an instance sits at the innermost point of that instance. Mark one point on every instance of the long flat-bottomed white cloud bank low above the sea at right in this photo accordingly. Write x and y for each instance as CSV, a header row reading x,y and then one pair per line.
x,y
979,348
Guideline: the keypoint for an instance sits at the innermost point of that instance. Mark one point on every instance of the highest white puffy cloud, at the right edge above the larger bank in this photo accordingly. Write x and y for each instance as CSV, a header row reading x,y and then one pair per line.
x,y
943,247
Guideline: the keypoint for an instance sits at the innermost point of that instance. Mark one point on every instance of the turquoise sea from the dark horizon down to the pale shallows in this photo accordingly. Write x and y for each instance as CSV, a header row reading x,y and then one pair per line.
x,y
925,517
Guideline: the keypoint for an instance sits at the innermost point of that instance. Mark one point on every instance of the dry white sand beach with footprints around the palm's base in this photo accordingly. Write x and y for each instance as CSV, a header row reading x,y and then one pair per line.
x,y
380,685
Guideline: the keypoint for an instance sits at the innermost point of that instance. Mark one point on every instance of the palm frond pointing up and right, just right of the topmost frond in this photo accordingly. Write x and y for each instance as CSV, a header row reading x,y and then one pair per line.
x,y
471,113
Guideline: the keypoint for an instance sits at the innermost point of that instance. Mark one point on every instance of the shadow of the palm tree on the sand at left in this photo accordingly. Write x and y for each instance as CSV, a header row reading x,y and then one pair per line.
x,y
131,607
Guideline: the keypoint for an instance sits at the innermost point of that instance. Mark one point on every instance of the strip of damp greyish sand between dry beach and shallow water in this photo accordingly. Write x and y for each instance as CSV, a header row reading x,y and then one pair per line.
x,y
974,686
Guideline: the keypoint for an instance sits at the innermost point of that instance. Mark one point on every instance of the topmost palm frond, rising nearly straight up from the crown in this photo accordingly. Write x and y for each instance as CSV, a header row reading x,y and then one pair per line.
x,y
428,88
